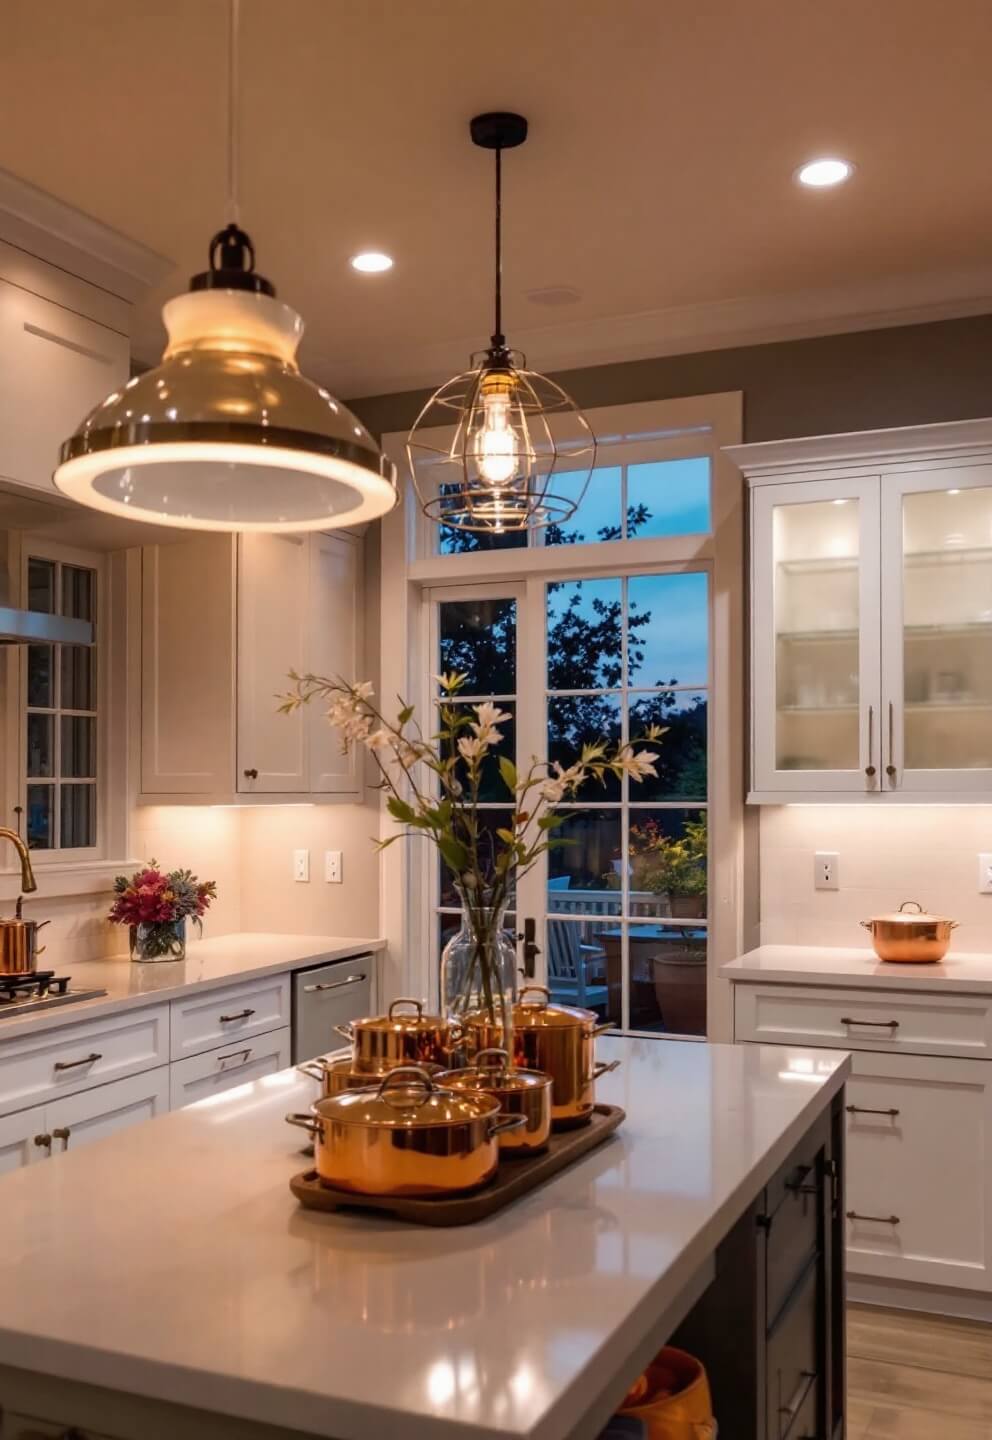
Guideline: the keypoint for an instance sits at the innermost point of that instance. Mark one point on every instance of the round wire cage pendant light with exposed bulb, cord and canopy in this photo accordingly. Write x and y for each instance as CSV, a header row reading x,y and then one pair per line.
x,y
502,447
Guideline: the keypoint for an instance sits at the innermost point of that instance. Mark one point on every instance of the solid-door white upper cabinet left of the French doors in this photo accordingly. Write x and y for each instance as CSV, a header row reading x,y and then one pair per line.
x,y
225,620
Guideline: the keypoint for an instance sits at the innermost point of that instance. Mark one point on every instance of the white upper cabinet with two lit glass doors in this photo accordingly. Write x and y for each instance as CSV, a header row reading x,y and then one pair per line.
x,y
872,616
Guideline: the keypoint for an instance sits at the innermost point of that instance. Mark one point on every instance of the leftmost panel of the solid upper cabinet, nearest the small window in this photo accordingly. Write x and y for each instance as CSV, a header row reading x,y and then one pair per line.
x,y
188,667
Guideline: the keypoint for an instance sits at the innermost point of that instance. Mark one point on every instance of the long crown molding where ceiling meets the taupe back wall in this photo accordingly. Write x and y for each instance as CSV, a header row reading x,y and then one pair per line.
x,y
883,303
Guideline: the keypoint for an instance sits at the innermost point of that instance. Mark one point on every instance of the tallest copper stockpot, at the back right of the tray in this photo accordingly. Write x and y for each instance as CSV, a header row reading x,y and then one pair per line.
x,y
558,1040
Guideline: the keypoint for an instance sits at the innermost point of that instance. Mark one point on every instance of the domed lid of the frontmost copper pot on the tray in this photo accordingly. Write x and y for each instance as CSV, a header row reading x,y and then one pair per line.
x,y
407,1099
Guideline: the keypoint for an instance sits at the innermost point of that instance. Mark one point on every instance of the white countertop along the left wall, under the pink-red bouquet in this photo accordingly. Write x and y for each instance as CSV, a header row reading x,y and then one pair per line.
x,y
208,966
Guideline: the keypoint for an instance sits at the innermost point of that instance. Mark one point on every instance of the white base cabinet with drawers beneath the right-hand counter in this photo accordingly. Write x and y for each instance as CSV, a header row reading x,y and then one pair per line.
x,y
919,1122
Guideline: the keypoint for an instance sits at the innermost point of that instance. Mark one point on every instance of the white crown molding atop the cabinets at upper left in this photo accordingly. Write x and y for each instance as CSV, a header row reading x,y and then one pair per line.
x,y
42,225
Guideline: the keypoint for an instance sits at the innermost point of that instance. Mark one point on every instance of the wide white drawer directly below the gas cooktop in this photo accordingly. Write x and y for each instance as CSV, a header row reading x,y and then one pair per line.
x,y
78,1058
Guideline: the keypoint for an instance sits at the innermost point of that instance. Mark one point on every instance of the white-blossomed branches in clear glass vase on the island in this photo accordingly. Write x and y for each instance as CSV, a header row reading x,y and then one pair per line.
x,y
433,788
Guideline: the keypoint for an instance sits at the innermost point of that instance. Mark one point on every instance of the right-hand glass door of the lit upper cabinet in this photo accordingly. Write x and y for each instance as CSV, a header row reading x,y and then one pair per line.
x,y
938,630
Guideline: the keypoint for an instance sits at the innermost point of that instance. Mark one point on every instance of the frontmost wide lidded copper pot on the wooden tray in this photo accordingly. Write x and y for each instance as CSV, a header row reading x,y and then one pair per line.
x,y
407,1137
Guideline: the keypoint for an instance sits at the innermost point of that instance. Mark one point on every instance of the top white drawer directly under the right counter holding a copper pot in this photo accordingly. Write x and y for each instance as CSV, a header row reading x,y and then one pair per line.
x,y
888,1022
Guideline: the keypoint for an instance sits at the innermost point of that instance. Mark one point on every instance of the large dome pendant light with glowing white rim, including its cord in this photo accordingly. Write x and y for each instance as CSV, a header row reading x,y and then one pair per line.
x,y
227,434
